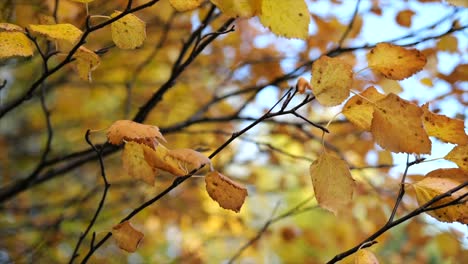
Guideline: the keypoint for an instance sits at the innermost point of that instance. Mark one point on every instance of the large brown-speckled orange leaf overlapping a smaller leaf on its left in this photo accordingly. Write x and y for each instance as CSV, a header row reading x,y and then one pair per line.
x,y
397,126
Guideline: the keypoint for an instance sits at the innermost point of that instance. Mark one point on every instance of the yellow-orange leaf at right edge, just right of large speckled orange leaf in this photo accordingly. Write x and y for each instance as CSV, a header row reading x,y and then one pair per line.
x,y
444,128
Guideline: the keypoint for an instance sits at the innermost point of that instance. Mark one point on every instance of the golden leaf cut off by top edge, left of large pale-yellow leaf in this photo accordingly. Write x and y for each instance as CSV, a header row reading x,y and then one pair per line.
x,y
238,8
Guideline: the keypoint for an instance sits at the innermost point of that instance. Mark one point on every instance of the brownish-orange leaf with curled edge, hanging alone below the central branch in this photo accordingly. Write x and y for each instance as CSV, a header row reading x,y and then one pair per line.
x,y
227,193
